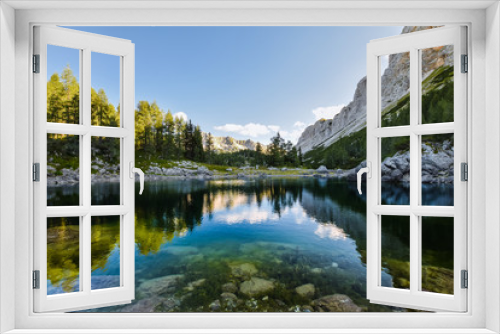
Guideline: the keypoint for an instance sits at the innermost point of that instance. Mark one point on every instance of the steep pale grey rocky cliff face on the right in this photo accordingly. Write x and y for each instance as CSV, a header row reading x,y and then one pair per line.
x,y
395,84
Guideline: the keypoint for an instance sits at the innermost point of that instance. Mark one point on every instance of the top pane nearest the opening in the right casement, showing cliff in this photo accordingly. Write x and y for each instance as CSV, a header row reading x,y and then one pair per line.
x,y
395,89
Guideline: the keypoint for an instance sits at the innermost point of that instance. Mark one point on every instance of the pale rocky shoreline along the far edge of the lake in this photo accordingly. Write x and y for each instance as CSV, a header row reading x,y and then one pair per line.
x,y
437,167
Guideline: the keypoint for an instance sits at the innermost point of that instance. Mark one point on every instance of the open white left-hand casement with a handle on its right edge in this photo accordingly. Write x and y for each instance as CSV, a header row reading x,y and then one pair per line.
x,y
76,218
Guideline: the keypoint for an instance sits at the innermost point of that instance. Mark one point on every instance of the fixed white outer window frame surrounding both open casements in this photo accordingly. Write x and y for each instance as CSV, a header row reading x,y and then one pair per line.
x,y
484,237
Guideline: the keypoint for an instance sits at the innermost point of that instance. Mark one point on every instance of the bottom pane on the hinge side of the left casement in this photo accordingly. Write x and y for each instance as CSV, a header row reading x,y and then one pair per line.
x,y
63,255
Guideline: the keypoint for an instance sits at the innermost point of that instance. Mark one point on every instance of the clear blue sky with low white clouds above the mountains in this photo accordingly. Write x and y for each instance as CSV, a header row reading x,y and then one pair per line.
x,y
246,82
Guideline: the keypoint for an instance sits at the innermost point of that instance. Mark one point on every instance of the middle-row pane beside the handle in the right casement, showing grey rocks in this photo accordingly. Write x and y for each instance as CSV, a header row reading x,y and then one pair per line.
x,y
395,169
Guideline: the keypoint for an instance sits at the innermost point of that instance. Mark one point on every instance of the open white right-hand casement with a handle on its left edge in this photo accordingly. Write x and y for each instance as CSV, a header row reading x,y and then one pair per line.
x,y
450,130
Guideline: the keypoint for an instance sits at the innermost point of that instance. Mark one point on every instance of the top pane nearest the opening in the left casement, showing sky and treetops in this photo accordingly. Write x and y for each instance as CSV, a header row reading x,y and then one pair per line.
x,y
105,89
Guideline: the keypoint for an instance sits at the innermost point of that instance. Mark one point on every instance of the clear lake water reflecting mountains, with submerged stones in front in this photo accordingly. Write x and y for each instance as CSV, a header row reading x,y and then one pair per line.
x,y
275,244
